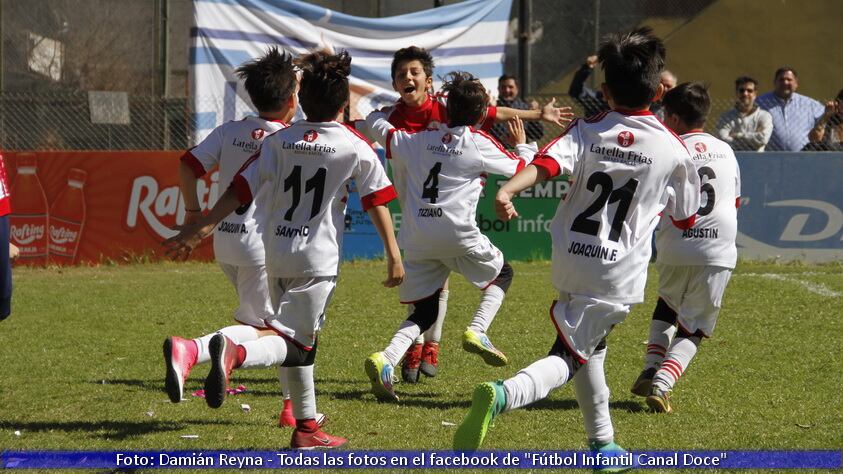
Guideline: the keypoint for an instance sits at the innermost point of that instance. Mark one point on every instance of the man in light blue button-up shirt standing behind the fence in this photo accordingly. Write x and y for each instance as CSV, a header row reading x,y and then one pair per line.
x,y
794,115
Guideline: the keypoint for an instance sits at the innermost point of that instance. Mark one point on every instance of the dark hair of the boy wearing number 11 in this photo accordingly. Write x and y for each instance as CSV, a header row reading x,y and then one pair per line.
x,y
324,84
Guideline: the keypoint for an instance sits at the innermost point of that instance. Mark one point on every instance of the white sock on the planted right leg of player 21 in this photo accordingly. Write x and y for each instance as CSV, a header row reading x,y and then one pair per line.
x,y
593,398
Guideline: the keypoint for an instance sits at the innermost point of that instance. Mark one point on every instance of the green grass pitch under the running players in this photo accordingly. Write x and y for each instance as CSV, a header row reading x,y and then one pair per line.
x,y
82,365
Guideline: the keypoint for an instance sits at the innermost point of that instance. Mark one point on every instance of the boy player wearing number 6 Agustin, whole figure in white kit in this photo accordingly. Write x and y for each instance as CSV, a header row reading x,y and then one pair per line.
x,y
695,264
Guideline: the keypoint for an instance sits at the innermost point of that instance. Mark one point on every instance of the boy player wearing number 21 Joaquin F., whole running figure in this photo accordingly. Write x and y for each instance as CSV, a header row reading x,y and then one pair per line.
x,y
627,168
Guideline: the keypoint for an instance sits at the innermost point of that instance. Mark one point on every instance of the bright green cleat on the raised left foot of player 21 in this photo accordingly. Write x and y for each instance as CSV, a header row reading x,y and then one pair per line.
x,y
487,402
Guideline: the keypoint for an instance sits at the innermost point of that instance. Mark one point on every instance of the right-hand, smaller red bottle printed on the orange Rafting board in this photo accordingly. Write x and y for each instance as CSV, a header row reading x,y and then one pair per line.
x,y
67,219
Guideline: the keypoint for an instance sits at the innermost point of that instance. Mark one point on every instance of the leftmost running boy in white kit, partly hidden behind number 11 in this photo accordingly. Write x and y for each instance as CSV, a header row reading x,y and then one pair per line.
x,y
271,83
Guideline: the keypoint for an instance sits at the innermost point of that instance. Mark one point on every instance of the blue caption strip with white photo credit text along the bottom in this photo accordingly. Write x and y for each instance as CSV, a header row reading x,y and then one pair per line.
x,y
418,459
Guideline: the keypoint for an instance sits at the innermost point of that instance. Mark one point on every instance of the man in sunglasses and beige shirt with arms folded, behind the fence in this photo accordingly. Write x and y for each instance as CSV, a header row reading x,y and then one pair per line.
x,y
746,127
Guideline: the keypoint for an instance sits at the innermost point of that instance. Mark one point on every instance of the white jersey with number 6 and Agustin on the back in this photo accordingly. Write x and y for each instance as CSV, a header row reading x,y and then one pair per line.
x,y
711,241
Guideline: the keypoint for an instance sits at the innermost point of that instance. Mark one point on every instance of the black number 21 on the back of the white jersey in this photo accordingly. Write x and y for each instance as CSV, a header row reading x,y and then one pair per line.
x,y
608,194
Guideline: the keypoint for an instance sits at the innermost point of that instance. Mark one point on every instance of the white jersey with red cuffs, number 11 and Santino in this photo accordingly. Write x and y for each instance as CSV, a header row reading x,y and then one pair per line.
x,y
307,168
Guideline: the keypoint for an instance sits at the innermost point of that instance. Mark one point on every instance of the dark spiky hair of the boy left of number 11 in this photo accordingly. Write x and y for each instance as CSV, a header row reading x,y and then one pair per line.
x,y
270,80
